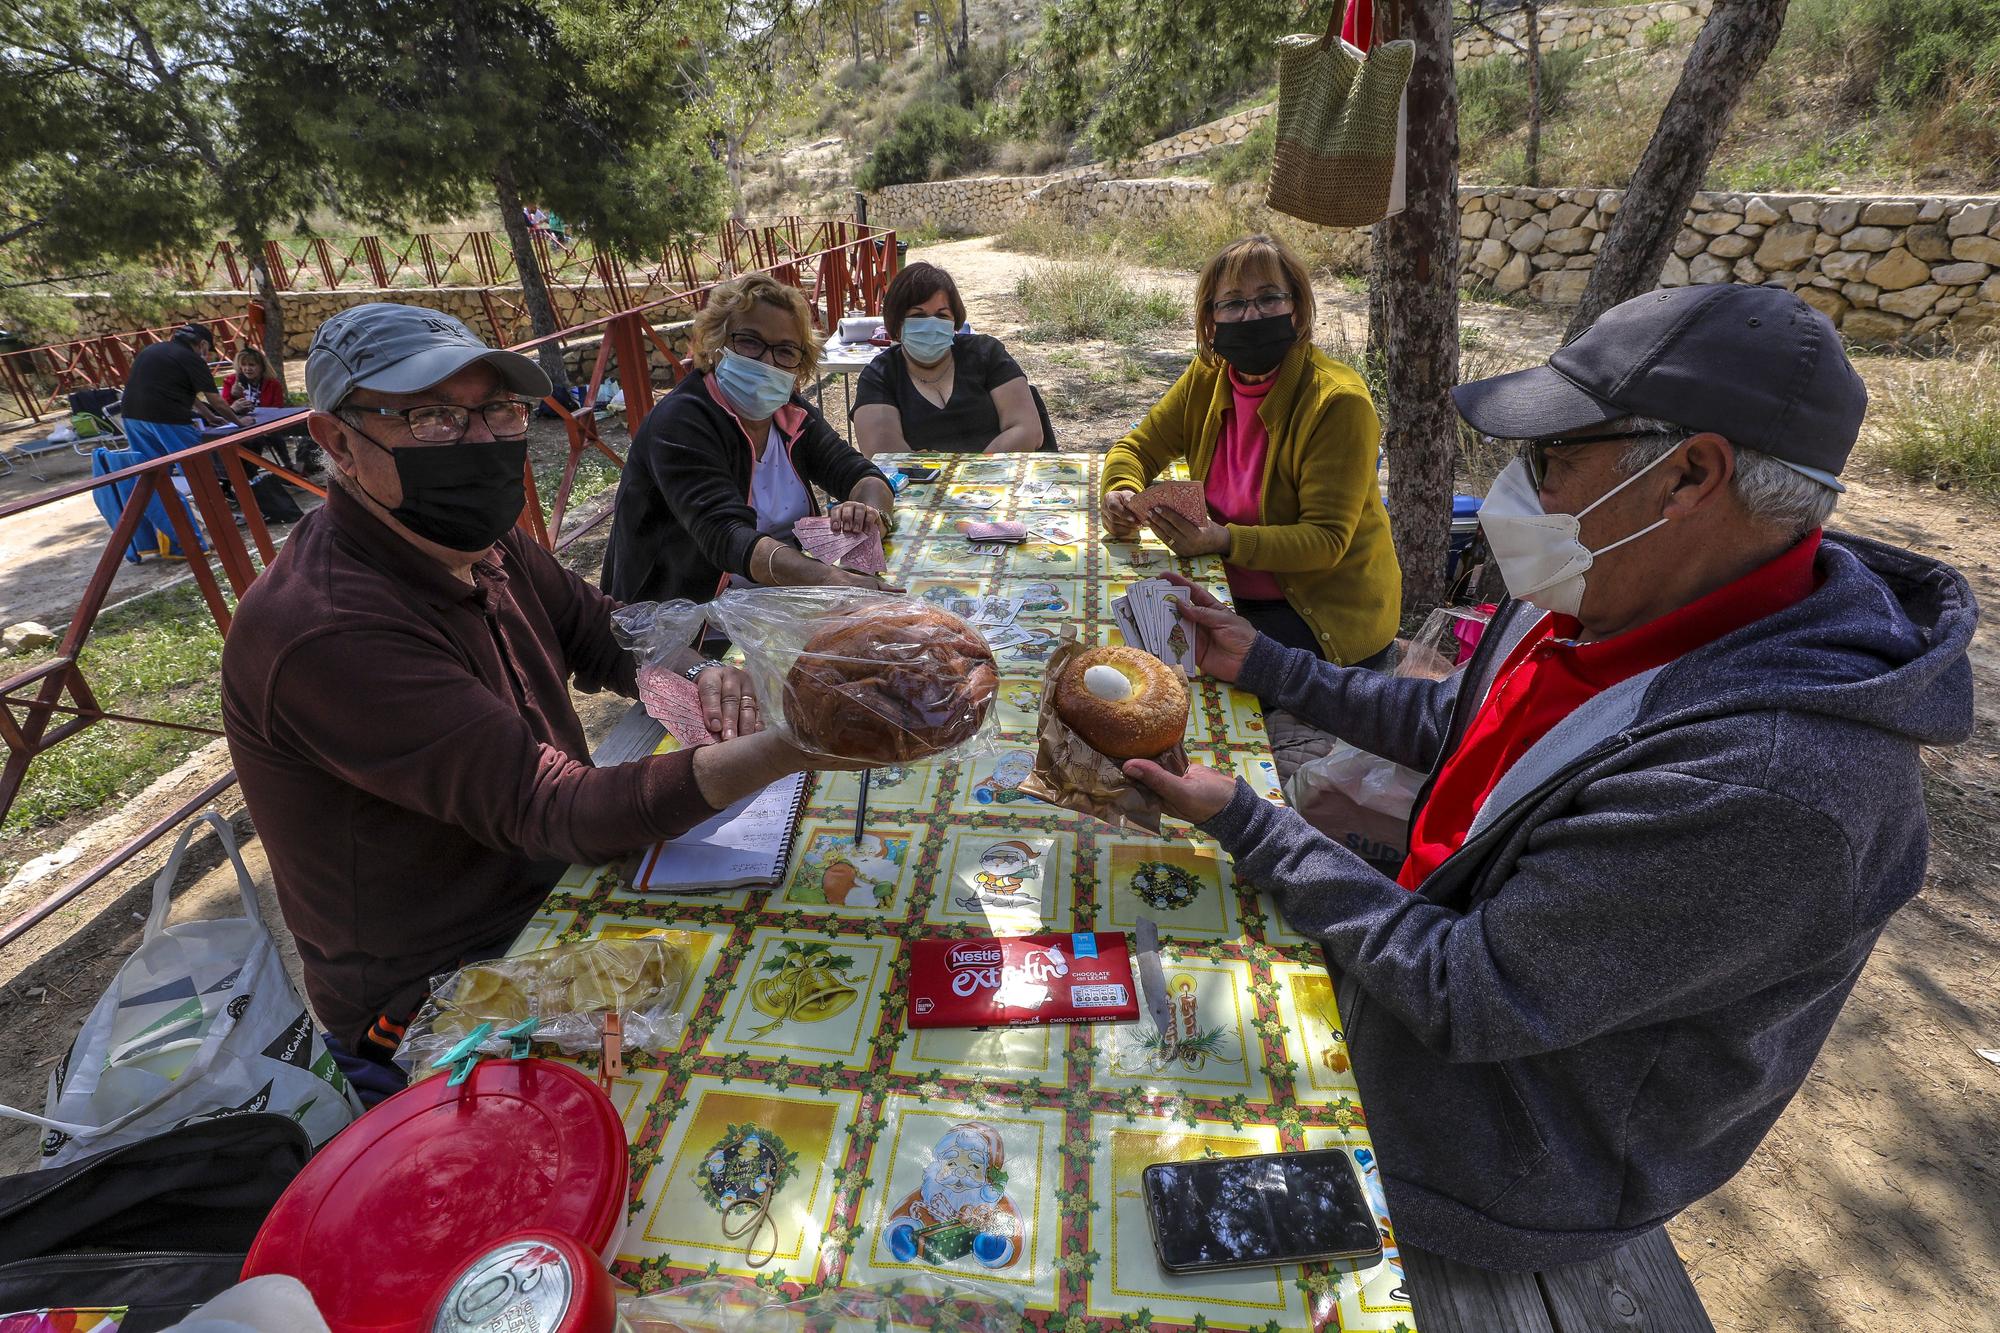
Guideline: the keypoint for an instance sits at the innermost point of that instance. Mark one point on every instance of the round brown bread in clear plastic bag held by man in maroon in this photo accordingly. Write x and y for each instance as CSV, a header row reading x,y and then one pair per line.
x,y
865,678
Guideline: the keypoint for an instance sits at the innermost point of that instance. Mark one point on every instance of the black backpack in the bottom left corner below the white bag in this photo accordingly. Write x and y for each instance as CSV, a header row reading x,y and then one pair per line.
x,y
159,1226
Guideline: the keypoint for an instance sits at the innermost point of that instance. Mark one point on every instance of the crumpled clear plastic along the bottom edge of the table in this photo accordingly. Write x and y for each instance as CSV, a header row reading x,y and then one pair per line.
x,y
921,1304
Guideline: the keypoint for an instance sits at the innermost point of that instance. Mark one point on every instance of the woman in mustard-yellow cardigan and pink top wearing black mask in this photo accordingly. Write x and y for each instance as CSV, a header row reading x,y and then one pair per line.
x,y
1283,439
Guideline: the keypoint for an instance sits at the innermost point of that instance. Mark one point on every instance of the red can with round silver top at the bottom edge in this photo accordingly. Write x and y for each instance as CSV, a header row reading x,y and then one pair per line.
x,y
529,1284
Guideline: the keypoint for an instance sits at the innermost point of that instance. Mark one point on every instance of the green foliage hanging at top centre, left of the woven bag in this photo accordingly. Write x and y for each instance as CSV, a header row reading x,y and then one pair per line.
x,y
1127,71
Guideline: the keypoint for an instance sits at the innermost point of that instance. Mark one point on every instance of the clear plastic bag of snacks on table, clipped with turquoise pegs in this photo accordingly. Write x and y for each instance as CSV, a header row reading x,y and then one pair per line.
x,y
569,992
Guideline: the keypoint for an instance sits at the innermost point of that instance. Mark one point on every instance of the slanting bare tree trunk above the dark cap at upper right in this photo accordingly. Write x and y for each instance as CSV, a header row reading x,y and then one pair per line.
x,y
1729,53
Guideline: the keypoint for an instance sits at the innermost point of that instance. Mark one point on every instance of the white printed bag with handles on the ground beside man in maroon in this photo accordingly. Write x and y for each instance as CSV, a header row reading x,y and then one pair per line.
x,y
199,1024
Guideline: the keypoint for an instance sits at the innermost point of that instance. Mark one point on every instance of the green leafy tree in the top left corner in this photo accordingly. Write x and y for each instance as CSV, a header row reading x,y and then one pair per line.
x,y
129,139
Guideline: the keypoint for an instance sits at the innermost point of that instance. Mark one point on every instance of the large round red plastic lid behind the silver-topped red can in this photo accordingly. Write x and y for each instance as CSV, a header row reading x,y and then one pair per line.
x,y
417,1190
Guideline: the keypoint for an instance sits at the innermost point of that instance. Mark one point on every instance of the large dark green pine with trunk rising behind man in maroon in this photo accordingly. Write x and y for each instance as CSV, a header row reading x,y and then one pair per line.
x,y
435,107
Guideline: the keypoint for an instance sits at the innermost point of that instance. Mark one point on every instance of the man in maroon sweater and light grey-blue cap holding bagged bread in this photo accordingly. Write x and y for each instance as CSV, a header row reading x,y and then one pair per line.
x,y
397,688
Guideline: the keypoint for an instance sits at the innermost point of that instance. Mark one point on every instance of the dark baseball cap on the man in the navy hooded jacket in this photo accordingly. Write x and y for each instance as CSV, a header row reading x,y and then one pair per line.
x,y
1757,365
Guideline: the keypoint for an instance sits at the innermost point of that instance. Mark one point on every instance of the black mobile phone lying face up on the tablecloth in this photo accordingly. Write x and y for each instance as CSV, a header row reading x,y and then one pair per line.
x,y
1259,1212
